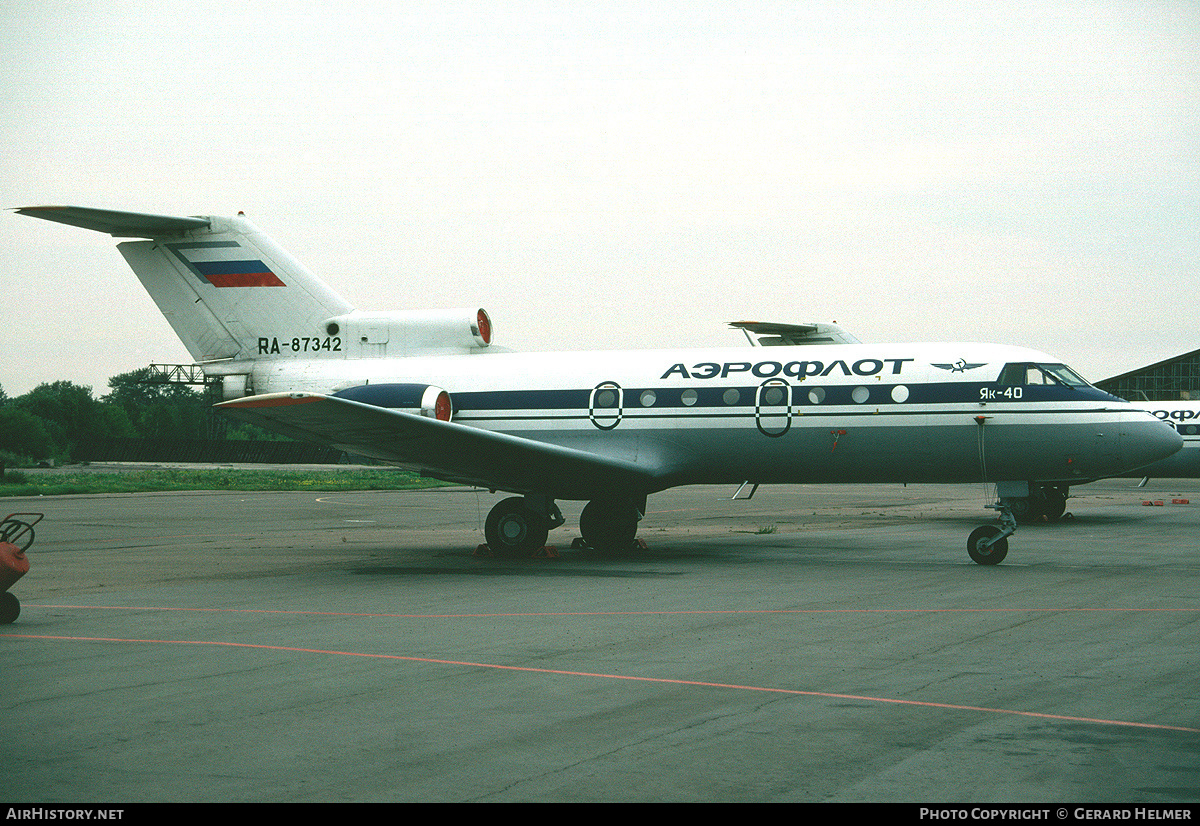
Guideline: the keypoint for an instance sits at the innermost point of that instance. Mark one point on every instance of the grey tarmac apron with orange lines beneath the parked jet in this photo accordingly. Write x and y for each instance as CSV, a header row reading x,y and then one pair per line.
x,y
814,644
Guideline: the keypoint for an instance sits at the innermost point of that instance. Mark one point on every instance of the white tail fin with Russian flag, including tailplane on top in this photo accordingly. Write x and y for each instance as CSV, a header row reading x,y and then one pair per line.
x,y
221,284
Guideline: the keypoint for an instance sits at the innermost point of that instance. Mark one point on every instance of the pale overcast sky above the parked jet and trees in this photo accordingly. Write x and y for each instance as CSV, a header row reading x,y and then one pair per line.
x,y
621,176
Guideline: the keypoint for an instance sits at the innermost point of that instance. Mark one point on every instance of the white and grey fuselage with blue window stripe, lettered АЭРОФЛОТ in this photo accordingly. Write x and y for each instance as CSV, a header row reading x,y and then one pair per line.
x,y
772,415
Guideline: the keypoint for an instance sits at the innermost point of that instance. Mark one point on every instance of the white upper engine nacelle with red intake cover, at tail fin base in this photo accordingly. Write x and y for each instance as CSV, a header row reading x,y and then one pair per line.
x,y
411,332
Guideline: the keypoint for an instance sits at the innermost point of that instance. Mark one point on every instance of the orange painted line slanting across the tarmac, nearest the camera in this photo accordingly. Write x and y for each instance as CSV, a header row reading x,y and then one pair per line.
x,y
620,677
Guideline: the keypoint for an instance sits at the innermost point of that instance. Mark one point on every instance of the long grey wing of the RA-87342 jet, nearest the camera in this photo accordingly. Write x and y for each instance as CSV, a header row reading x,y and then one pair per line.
x,y
442,450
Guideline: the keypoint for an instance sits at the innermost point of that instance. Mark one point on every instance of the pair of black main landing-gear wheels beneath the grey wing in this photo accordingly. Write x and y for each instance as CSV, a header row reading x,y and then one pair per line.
x,y
519,525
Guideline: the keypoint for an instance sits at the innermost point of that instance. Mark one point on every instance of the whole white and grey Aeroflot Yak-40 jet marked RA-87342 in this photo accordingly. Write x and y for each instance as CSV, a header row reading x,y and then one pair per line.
x,y
427,391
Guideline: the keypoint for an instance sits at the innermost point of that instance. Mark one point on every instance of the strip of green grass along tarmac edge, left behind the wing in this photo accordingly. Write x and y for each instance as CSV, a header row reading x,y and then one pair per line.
x,y
184,480
